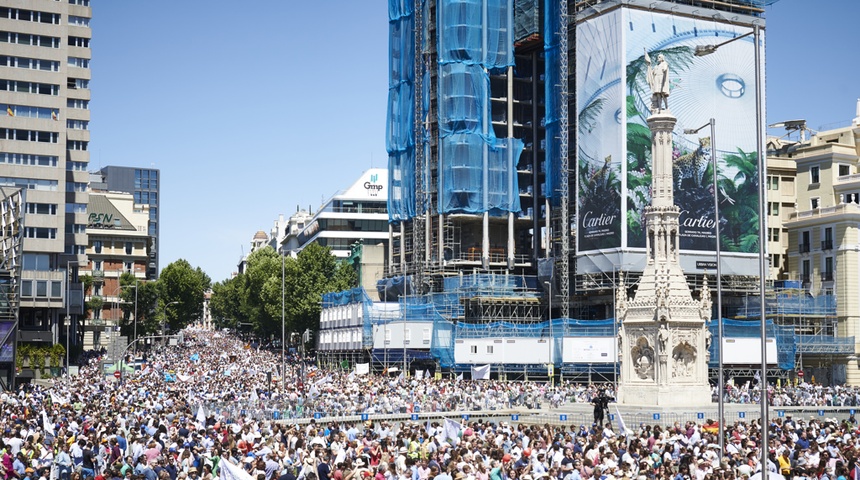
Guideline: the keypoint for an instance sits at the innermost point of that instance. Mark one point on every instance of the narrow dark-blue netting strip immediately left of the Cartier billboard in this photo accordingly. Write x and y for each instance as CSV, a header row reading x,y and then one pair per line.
x,y
551,84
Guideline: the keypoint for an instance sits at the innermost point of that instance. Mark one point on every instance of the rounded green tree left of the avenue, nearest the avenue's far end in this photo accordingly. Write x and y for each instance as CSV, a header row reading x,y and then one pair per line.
x,y
180,295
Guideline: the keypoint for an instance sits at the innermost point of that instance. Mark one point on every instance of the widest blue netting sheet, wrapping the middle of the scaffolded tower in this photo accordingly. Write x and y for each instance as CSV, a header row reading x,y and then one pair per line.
x,y
478,170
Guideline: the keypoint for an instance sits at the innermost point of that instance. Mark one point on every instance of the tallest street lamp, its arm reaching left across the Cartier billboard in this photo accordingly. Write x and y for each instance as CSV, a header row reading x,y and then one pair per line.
x,y
703,50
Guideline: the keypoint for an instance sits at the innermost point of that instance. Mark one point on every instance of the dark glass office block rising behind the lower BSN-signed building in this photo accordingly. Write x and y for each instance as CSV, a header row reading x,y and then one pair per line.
x,y
143,184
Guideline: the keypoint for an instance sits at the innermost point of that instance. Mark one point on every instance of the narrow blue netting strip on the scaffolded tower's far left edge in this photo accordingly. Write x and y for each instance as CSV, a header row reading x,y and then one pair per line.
x,y
400,125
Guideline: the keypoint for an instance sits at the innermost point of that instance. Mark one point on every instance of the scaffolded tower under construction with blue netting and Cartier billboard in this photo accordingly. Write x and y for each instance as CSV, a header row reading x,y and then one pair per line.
x,y
519,166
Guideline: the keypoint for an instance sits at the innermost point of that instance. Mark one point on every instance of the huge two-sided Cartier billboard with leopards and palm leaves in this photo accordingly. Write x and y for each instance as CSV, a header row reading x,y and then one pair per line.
x,y
614,141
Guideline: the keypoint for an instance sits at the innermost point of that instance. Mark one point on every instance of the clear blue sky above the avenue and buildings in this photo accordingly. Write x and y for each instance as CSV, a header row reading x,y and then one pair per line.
x,y
250,109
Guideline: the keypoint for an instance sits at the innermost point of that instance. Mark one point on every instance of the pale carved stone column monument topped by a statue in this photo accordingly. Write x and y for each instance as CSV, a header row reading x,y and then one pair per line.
x,y
663,327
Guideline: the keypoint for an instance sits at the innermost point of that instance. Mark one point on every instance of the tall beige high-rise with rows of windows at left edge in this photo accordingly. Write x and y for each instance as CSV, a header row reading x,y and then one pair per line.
x,y
45,59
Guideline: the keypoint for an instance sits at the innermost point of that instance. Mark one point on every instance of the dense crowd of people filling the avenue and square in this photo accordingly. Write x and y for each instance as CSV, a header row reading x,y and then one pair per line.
x,y
170,421
